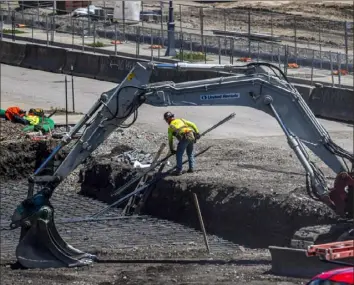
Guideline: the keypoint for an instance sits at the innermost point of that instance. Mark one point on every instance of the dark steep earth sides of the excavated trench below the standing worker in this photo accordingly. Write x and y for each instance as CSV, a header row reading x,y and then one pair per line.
x,y
251,217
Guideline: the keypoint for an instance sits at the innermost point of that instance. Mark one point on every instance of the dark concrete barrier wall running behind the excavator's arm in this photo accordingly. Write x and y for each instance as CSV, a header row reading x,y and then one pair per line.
x,y
326,102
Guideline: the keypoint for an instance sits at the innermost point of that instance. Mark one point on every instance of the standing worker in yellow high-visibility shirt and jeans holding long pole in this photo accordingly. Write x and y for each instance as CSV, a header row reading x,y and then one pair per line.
x,y
186,133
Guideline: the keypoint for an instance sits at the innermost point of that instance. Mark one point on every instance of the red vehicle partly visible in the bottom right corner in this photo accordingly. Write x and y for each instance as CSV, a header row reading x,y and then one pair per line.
x,y
340,276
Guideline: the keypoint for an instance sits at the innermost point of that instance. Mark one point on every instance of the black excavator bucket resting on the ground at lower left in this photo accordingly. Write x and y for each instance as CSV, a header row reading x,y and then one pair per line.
x,y
41,246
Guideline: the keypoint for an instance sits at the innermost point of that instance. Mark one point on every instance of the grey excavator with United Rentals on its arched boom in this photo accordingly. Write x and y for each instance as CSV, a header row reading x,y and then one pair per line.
x,y
257,85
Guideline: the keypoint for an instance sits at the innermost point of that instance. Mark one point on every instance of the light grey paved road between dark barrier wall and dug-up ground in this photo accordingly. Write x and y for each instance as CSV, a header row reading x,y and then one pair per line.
x,y
32,88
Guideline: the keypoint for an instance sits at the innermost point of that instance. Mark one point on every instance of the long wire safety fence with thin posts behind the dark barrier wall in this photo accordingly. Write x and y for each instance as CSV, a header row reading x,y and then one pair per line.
x,y
208,47
